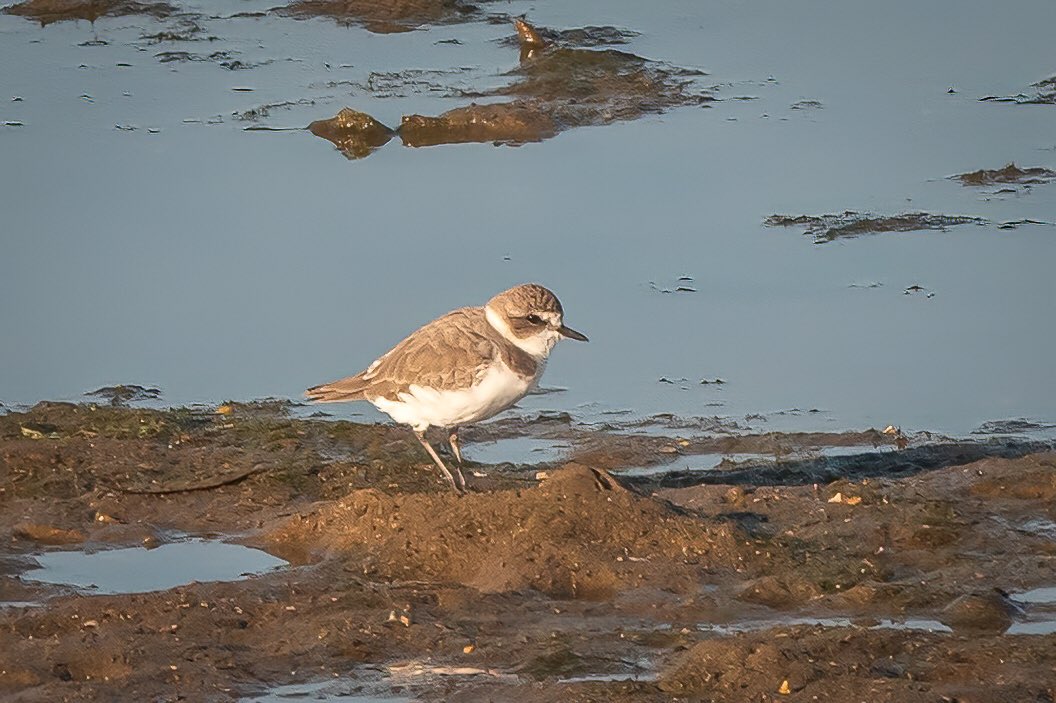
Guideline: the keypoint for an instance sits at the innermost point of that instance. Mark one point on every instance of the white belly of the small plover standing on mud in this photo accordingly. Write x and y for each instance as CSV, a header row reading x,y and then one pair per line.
x,y
422,407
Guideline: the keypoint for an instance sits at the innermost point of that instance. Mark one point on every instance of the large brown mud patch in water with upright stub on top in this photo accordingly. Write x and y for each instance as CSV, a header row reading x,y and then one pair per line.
x,y
558,86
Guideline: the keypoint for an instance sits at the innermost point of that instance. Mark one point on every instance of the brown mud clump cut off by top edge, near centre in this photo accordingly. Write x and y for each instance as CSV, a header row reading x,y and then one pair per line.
x,y
389,17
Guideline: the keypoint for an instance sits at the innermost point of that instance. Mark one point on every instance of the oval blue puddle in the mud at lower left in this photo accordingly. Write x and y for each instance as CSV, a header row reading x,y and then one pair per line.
x,y
140,571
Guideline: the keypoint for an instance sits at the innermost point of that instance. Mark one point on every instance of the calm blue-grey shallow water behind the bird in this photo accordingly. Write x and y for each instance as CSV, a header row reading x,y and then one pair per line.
x,y
221,263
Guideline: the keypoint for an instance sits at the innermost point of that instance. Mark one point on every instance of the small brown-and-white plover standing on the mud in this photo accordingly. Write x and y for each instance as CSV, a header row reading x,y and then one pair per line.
x,y
463,368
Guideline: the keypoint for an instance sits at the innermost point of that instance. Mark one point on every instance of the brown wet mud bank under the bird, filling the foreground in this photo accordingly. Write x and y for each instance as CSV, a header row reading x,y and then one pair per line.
x,y
921,576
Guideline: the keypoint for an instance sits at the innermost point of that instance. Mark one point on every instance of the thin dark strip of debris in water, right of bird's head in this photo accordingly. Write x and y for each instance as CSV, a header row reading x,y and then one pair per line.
x,y
851,224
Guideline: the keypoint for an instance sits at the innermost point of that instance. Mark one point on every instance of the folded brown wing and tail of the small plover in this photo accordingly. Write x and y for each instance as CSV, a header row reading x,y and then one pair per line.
x,y
449,353
